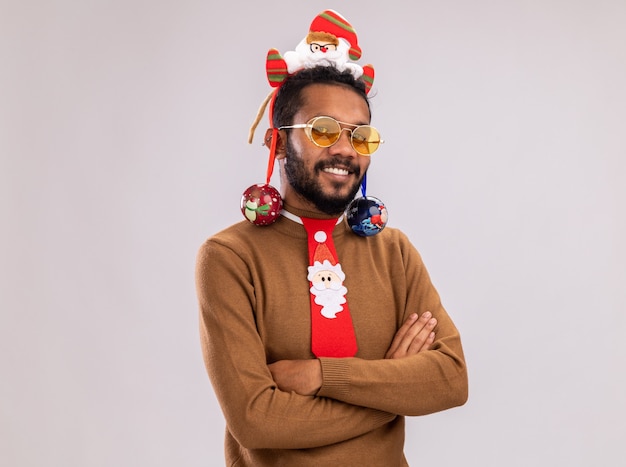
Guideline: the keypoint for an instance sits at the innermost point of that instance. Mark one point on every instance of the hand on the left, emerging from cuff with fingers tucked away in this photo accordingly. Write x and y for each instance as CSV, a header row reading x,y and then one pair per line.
x,y
303,377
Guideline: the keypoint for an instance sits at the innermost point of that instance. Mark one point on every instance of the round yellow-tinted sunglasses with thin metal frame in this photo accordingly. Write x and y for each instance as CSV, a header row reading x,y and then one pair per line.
x,y
326,131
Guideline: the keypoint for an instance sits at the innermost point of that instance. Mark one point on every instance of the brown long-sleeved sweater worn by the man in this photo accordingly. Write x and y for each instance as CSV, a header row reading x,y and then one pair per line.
x,y
255,309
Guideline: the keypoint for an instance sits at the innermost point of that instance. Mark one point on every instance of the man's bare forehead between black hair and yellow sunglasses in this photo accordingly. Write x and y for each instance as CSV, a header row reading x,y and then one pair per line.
x,y
340,102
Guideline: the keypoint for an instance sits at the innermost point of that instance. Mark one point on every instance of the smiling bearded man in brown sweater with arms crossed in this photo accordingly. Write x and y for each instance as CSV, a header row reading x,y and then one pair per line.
x,y
318,342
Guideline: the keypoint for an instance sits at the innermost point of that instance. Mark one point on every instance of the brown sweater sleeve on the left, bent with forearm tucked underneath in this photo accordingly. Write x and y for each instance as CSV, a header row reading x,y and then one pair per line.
x,y
257,413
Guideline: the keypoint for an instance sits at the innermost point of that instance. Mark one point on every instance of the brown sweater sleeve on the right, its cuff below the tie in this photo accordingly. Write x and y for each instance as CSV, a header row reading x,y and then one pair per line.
x,y
425,383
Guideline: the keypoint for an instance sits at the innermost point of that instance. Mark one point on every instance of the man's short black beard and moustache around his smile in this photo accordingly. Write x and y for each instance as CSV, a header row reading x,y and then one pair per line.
x,y
308,186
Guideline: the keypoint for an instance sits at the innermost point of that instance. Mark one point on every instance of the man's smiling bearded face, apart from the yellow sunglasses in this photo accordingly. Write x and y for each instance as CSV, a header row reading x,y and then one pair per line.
x,y
327,178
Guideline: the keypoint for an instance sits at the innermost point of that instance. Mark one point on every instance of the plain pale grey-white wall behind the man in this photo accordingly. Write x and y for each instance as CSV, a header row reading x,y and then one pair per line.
x,y
123,144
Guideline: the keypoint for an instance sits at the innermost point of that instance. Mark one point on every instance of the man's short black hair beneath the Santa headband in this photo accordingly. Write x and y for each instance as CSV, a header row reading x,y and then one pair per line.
x,y
289,97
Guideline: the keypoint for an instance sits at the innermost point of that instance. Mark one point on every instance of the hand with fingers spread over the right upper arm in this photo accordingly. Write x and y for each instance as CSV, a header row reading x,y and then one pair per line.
x,y
415,335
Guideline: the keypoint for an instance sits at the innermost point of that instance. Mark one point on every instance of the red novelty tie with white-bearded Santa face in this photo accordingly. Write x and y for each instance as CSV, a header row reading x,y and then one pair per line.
x,y
332,332
